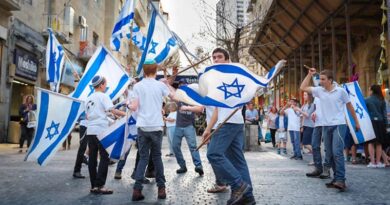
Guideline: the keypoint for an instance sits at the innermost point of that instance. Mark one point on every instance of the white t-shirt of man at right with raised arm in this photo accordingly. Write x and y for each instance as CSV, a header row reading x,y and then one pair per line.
x,y
332,105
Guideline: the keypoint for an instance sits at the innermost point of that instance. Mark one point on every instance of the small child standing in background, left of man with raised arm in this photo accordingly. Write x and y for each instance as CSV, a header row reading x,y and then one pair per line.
x,y
281,123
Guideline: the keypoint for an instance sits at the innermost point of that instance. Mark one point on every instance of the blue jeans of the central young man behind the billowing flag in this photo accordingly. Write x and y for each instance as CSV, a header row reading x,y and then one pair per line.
x,y
226,156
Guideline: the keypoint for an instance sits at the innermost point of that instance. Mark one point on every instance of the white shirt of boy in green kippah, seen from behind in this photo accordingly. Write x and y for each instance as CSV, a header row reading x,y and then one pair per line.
x,y
150,93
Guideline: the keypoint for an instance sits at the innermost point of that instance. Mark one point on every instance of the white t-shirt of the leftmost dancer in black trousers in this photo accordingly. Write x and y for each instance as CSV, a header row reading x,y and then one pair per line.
x,y
96,107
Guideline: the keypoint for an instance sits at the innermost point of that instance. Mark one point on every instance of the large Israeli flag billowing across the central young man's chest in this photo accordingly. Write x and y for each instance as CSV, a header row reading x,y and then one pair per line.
x,y
226,85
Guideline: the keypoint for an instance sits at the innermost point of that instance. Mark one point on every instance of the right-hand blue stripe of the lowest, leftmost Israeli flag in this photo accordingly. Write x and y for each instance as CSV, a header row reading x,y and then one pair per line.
x,y
64,133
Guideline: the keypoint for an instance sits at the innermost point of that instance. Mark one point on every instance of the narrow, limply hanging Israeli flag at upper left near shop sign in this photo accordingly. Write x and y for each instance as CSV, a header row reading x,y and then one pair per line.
x,y
54,61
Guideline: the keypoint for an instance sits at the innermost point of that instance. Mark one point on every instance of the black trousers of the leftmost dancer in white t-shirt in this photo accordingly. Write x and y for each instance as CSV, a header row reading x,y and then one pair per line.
x,y
97,177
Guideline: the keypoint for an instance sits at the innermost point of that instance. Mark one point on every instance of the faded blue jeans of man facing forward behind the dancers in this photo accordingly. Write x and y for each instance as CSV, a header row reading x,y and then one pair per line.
x,y
190,135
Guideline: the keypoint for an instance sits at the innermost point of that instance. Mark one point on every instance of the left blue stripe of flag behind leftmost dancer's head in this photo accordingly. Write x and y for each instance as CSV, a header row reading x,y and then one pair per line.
x,y
90,74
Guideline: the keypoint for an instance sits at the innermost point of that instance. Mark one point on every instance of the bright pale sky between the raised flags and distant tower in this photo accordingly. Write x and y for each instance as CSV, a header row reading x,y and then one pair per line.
x,y
185,20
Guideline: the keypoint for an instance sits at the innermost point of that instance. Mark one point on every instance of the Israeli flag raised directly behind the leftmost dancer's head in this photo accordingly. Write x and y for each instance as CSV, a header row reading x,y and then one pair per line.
x,y
104,64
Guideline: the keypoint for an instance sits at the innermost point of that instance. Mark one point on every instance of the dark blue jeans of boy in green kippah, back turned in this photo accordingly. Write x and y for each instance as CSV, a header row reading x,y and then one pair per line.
x,y
149,141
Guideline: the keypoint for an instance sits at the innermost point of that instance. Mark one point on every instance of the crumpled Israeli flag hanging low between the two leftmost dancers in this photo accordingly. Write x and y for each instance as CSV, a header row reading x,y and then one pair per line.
x,y
119,137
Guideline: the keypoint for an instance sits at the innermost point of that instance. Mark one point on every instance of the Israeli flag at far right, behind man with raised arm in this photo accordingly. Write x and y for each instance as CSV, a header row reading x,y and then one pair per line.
x,y
366,131
